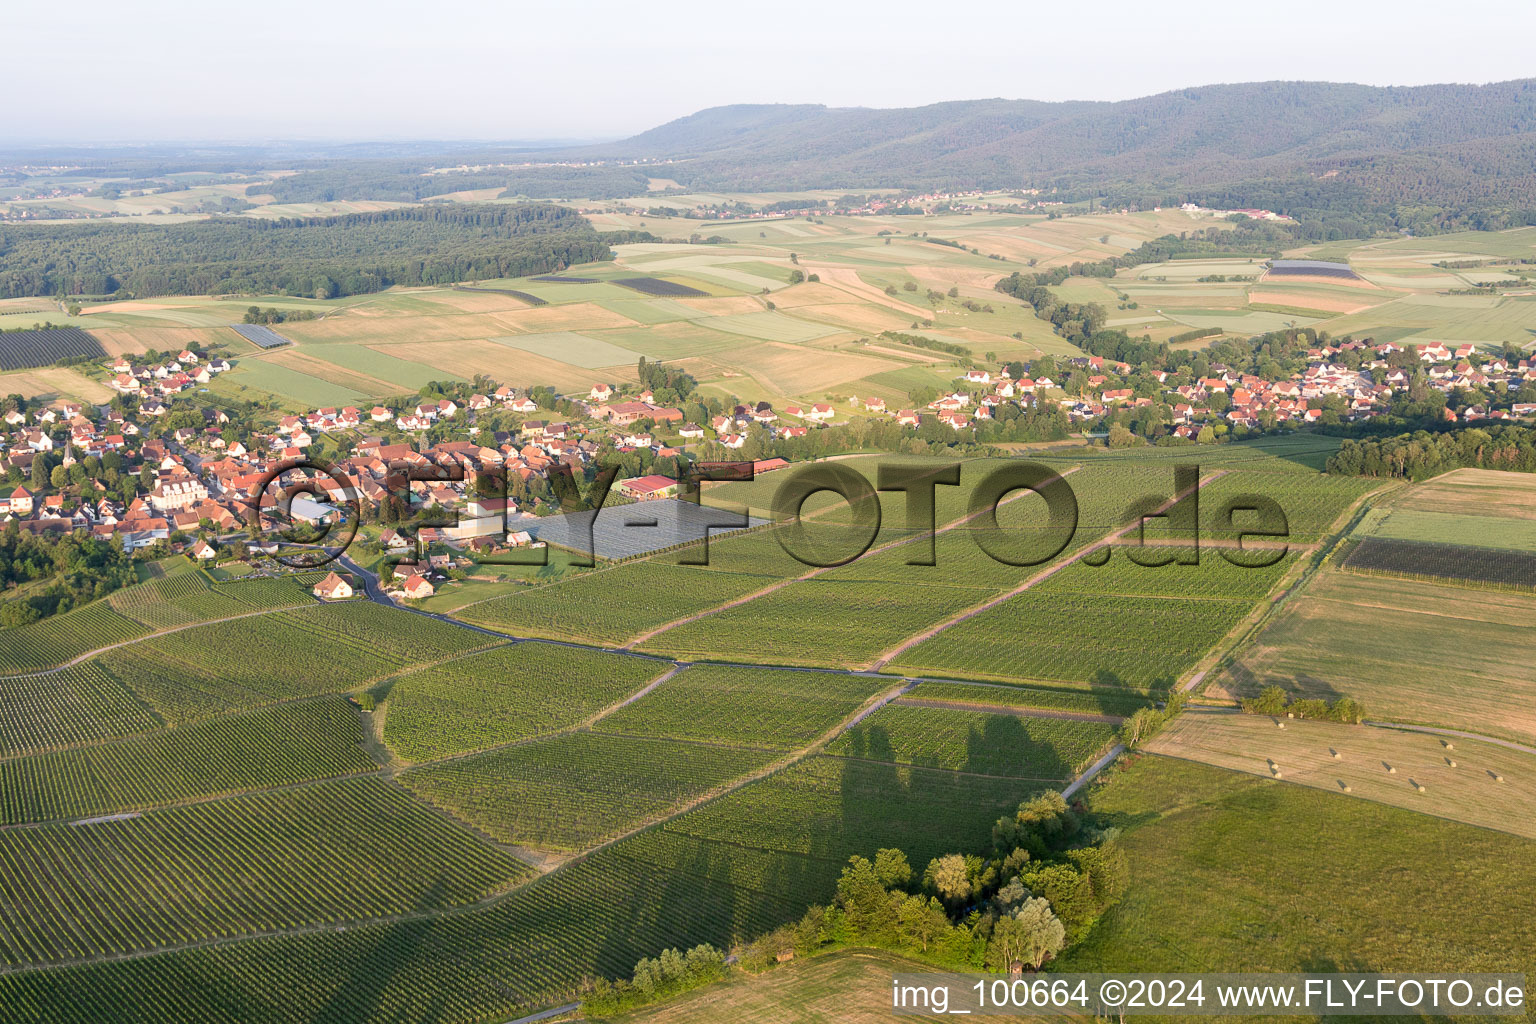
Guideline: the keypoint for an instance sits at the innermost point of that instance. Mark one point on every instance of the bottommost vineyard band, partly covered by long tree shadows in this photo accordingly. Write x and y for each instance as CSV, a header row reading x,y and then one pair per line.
x,y
534,948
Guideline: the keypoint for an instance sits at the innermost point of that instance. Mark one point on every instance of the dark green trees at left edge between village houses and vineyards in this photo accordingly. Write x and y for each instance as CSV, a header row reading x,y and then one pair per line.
x,y
82,569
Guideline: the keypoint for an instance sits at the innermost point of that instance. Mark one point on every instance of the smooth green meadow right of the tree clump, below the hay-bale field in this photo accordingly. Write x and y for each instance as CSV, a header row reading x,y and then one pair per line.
x,y
1234,873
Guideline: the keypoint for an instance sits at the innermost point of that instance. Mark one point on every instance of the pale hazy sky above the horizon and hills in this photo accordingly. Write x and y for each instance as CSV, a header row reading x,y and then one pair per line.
x,y
340,70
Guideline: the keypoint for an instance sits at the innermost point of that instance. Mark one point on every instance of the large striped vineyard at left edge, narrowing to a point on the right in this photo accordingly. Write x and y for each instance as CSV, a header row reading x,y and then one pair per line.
x,y
329,853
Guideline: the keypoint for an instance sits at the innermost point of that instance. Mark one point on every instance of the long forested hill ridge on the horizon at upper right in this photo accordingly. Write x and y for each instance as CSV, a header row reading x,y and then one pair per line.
x,y
1417,154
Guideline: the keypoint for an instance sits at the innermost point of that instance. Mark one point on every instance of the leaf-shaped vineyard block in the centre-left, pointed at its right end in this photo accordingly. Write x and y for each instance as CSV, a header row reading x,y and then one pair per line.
x,y
506,695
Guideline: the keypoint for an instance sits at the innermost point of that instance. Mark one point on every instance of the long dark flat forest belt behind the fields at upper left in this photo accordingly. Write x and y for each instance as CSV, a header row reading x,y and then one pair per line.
x,y
319,257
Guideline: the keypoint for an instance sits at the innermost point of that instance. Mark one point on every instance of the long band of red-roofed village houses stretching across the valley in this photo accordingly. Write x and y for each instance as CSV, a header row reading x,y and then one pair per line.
x,y
187,480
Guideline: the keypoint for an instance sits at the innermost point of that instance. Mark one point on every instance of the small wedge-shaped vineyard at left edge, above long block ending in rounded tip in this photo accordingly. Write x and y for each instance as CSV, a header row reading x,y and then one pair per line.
x,y
76,705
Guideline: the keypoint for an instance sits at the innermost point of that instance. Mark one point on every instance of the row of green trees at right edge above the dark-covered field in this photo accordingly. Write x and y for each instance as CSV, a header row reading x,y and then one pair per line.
x,y
1423,455
